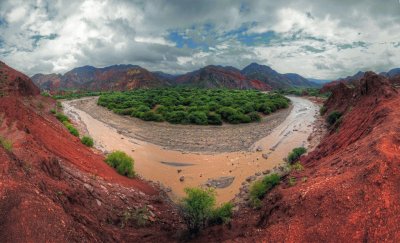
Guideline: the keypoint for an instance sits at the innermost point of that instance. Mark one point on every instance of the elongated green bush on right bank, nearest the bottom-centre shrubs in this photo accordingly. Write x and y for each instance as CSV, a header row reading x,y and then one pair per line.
x,y
259,188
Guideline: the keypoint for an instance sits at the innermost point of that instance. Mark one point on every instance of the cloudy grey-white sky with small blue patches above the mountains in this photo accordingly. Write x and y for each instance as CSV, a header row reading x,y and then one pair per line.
x,y
316,38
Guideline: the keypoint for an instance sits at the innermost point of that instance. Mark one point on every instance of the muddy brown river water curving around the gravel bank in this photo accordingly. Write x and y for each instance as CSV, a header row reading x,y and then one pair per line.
x,y
158,164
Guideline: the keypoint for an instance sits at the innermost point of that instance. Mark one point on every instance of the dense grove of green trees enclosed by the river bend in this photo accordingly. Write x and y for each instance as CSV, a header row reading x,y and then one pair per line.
x,y
193,106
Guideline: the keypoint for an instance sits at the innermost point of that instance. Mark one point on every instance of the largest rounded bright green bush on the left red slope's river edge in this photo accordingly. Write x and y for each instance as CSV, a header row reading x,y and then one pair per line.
x,y
122,162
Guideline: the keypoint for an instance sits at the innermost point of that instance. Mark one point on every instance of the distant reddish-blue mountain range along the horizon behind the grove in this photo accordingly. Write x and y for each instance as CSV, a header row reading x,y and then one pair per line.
x,y
127,77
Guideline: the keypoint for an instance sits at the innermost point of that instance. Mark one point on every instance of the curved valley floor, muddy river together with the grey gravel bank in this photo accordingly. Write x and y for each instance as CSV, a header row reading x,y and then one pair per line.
x,y
276,136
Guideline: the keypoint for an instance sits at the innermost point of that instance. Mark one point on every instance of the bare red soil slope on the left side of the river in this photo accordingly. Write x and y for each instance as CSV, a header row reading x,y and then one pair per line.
x,y
54,189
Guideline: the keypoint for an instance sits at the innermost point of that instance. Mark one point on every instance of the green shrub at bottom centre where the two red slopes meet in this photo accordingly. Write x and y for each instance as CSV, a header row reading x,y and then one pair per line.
x,y
197,208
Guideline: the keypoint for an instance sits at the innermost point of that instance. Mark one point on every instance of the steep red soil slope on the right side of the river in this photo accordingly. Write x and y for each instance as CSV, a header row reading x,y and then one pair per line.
x,y
349,190
